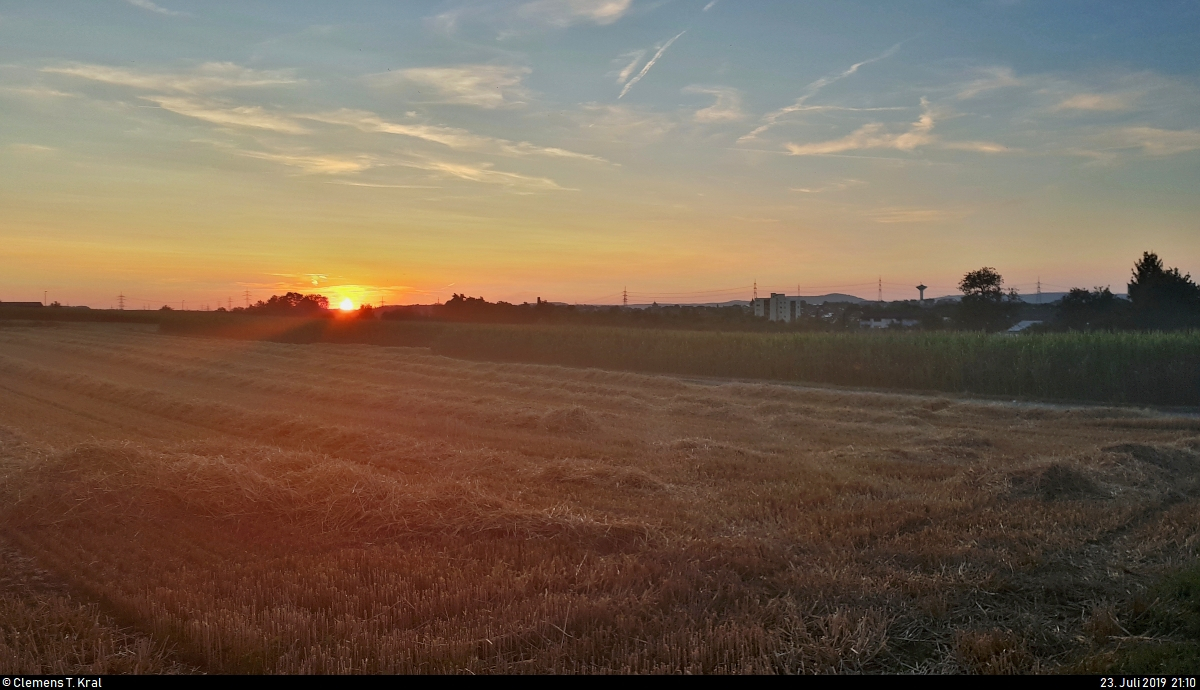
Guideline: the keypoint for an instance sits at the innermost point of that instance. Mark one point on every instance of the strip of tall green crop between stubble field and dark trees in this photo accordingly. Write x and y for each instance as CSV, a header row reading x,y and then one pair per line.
x,y
1129,368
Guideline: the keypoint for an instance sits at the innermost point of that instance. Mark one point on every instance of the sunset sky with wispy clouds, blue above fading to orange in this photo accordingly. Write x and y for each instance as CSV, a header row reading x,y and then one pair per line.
x,y
202,154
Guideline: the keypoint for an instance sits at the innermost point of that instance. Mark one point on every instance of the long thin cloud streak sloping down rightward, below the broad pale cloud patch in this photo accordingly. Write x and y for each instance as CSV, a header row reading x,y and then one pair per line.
x,y
452,137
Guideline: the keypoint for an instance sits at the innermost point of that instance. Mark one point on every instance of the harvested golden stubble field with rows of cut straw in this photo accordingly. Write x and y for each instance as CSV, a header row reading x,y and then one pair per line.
x,y
190,505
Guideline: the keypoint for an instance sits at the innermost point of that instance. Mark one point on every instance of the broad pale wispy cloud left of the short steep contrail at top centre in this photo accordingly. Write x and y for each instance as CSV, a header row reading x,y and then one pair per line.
x,y
482,86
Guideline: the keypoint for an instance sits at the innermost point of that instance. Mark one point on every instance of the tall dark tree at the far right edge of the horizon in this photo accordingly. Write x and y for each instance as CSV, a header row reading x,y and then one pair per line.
x,y
1161,297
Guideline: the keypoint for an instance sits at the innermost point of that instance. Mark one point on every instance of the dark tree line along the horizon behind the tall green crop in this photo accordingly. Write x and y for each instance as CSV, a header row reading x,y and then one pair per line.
x,y
1159,299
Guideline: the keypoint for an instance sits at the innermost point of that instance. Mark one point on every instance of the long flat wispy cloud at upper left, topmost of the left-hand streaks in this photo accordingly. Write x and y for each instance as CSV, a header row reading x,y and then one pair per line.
x,y
205,79
